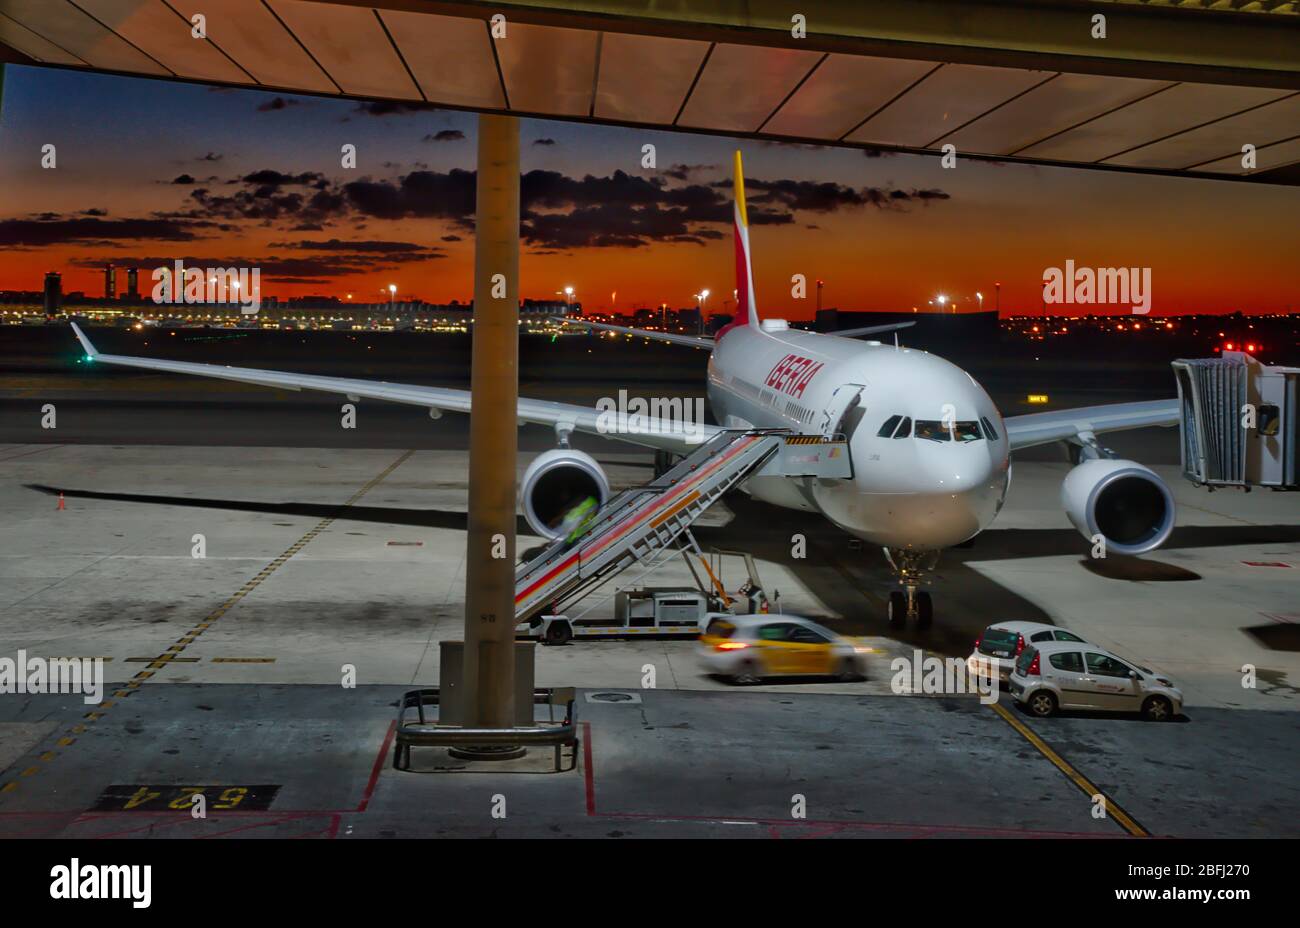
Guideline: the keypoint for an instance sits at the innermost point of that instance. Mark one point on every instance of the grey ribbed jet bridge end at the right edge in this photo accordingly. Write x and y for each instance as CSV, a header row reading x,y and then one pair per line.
x,y
1240,422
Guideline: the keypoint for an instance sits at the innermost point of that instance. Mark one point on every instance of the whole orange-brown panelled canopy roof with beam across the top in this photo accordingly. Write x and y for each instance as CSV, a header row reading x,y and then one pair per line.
x,y
1176,86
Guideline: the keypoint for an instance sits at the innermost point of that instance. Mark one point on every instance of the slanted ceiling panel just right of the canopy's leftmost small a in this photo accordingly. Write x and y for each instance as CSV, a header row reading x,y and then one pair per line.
x,y
250,34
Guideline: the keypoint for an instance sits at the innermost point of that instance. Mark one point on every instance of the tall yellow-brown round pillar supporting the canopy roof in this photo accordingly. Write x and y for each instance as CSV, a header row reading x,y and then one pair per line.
x,y
489,652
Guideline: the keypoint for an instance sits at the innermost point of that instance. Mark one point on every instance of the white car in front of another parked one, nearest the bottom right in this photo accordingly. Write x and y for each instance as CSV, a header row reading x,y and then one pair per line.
x,y
1065,675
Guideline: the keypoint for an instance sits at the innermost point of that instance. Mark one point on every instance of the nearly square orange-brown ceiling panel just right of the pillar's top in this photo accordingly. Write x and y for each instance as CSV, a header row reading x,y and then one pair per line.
x,y
549,70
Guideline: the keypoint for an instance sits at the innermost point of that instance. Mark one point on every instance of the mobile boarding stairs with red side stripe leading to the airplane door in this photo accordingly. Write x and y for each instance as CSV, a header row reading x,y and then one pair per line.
x,y
643,523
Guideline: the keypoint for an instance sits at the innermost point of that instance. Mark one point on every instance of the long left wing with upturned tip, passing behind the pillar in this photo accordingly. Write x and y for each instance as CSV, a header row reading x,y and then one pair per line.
x,y
661,436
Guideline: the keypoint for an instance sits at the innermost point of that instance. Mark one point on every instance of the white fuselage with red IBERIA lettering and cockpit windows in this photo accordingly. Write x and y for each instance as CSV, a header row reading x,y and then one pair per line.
x,y
905,493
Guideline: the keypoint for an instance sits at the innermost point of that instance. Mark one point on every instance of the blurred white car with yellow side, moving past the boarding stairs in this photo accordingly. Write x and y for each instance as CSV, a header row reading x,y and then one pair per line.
x,y
747,649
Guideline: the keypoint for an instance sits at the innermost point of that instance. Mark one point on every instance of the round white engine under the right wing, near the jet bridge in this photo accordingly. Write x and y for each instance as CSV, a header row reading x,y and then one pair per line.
x,y
1123,501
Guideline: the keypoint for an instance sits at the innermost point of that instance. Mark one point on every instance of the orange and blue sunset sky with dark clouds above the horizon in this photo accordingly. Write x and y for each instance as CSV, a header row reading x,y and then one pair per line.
x,y
150,171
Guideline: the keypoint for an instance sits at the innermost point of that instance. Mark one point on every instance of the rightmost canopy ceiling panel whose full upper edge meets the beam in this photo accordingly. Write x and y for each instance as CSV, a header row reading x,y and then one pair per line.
x,y
1169,111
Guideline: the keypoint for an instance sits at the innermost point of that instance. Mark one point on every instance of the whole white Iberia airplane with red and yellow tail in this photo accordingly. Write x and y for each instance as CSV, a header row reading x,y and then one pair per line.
x,y
931,453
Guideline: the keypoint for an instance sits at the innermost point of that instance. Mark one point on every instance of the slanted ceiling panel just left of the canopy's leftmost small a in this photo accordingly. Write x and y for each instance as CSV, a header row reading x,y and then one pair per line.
x,y
155,29
